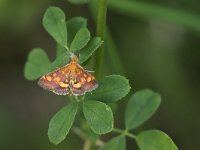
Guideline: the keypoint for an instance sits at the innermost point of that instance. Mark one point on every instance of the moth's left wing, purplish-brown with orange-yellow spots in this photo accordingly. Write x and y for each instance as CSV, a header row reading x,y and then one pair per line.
x,y
56,81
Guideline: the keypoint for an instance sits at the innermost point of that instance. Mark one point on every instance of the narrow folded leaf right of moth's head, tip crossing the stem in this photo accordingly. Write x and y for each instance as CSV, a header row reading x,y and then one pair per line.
x,y
89,49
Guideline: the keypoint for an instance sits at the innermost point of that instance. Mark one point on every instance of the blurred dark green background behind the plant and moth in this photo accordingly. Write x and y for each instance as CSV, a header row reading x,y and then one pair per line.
x,y
155,52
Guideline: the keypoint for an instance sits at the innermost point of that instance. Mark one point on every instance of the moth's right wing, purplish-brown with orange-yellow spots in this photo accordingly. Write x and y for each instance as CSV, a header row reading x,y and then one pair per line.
x,y
85,82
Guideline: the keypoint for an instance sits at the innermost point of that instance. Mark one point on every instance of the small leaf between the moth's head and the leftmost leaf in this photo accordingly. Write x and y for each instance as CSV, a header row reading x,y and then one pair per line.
x,y
61,61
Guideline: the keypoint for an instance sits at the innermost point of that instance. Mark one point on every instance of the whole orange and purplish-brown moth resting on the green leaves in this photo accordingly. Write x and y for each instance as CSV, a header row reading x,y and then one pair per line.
x,y
70,79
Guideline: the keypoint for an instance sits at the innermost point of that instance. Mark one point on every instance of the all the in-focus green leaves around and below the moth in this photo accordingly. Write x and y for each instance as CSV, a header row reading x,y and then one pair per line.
x,y
72,36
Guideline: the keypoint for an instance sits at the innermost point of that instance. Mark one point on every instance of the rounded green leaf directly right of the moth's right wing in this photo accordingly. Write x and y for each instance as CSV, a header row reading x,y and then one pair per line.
x,y
111,89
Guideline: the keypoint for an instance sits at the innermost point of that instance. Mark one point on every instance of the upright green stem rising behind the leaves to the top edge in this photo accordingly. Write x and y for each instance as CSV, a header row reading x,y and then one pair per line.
x,y
101,23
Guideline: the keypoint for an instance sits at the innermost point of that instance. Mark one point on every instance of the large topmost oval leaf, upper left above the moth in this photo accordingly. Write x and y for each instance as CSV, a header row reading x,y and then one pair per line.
x,y
54,23
